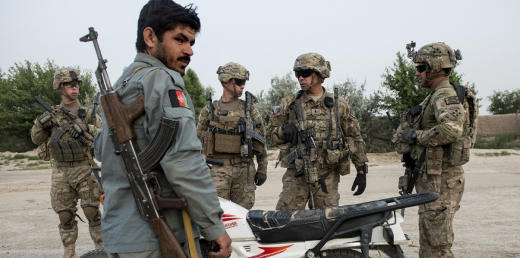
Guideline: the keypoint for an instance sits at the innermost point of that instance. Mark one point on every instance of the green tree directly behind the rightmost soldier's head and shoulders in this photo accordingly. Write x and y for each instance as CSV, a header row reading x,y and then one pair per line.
x,y
401,91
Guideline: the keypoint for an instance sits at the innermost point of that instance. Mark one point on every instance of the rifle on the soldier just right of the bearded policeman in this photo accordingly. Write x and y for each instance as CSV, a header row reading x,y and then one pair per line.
x,y
247,128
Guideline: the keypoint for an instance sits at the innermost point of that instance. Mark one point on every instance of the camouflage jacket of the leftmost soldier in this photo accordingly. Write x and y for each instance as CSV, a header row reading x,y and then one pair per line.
x,y
41,136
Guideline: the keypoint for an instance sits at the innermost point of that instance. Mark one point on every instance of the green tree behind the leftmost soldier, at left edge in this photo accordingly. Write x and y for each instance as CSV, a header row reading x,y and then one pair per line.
x,y
23,82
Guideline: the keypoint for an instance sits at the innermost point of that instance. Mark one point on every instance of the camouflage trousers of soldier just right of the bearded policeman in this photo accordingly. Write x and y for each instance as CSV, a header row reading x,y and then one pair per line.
x,y
231,183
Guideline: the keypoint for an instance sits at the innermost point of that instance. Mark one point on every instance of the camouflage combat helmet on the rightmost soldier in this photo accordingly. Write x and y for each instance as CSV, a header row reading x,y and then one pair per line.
x,y
437,56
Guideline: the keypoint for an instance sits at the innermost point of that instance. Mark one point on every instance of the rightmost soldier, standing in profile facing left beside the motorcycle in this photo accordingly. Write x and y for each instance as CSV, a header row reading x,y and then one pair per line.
x,y
432,130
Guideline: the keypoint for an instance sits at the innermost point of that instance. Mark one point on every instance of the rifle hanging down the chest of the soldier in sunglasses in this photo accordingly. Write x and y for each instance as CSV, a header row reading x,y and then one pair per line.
x,y
304,150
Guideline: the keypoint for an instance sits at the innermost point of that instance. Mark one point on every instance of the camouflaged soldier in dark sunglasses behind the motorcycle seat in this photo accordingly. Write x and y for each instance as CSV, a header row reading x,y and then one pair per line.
x,y
335,147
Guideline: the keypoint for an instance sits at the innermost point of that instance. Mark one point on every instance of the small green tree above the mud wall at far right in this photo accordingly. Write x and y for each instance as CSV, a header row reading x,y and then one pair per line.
x,y
505,102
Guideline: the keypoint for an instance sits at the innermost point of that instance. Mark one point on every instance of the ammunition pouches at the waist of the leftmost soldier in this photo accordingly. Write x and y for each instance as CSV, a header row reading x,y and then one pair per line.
x,y
65,150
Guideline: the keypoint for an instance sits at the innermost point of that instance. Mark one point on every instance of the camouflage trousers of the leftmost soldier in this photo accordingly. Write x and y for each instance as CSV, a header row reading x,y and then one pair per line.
x,y
70,183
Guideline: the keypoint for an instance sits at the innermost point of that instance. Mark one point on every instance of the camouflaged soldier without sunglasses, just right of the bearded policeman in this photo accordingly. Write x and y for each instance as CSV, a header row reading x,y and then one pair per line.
x,y
218,130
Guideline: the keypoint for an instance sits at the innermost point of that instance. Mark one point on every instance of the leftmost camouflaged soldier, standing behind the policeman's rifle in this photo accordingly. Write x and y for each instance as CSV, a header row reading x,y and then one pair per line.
x,y
69,151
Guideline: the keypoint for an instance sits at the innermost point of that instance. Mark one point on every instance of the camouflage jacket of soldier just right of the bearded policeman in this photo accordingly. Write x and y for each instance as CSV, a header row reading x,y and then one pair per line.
x,y
235,108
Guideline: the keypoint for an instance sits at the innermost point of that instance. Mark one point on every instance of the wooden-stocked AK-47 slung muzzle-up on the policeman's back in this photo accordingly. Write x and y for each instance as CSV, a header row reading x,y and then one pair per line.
x,y
120,118
